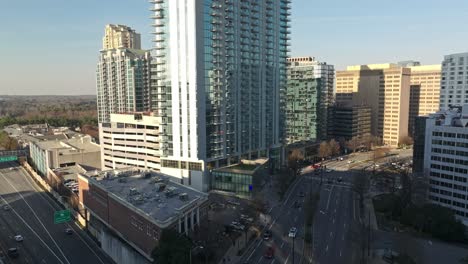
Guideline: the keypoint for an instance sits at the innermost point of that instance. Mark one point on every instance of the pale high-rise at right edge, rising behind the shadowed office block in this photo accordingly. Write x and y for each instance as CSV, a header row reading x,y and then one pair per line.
x,y
454,81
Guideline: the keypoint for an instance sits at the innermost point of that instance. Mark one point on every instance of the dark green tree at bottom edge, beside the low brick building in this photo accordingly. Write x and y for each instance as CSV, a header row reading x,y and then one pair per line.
x,y
173,248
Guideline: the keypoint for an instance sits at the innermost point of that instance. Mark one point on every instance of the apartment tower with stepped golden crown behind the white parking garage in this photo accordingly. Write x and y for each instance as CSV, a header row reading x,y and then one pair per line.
x,y
122,75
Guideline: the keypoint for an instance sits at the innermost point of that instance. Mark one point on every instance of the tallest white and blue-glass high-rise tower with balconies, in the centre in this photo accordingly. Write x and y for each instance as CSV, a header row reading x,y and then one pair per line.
x,y
220,70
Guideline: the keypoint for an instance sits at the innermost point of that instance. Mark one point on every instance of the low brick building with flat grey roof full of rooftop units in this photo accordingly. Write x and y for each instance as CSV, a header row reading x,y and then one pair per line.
x,y
136,205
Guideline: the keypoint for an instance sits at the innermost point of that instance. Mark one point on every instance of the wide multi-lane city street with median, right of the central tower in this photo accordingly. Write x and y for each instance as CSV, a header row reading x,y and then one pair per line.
x,y
337,224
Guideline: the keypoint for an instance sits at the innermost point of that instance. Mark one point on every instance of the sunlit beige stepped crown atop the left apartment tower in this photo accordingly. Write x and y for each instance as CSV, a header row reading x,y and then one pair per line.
x,y
120,36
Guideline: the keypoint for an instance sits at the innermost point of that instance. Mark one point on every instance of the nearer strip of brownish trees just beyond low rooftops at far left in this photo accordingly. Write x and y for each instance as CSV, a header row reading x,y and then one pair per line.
x,y
53,121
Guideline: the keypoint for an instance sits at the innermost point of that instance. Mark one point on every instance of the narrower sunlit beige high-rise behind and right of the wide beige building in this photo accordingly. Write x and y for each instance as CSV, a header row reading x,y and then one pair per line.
x,y
424,92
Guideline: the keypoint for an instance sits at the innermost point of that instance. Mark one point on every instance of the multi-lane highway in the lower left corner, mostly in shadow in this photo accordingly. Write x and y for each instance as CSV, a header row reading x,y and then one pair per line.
x,y
30,213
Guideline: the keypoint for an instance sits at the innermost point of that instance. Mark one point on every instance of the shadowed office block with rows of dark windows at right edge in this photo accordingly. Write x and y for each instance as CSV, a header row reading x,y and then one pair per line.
x,y
446,159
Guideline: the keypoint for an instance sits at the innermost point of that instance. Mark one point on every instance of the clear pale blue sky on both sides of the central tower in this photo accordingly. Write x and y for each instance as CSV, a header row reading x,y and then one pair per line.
x,y
51,46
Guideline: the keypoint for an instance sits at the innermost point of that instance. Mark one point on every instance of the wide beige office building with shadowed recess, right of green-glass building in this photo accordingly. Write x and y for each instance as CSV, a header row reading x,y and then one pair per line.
x,y
385,88
